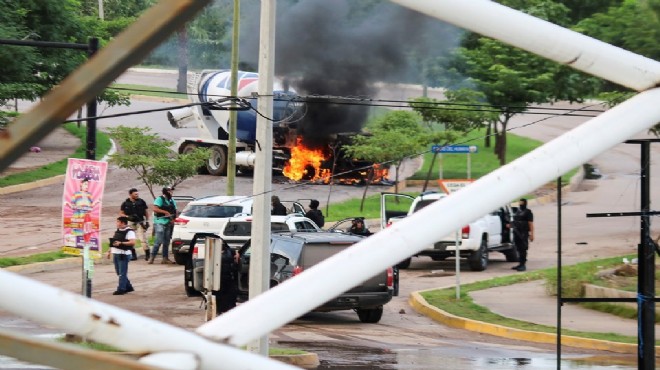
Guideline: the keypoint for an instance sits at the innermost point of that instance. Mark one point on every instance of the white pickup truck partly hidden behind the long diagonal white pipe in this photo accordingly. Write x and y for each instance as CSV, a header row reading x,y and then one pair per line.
x,y
487,234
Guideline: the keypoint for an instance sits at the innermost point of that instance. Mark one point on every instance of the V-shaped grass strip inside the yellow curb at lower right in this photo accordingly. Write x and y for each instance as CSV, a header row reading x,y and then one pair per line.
x,y
445,299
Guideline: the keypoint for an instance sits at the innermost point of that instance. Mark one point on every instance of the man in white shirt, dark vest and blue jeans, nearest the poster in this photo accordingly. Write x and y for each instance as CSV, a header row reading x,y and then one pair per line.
x,y
120,249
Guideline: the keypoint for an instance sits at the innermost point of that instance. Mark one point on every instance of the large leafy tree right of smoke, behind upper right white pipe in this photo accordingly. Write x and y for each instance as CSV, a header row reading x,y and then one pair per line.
x,y
511,79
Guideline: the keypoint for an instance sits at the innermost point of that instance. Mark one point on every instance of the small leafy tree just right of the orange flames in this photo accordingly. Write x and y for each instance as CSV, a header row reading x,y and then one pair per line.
x,y
393,137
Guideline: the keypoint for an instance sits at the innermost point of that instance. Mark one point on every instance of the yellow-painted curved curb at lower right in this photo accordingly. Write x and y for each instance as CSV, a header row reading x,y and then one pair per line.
x,y
420,305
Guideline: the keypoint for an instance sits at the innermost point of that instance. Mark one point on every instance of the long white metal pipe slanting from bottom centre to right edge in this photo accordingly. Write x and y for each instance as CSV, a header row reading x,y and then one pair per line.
x,y
403,239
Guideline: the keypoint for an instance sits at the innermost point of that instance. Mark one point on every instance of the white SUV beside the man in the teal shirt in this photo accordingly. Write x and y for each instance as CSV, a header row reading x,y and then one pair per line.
x,y
207,214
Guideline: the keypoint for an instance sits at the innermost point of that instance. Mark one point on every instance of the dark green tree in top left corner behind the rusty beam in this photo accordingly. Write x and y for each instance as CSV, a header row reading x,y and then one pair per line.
x,y
30,72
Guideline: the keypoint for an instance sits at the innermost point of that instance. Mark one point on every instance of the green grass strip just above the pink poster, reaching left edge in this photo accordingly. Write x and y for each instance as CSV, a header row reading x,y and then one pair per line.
x,y
103,146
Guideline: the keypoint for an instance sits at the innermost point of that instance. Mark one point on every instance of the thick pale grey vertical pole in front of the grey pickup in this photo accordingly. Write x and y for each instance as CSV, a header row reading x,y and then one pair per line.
x,y
262,188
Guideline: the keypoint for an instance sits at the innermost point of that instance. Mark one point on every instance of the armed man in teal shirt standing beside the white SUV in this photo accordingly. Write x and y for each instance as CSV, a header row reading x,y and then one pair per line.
x,y
164,214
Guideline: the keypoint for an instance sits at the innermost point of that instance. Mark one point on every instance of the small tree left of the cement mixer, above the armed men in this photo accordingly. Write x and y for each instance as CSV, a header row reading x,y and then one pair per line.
x,y
151,158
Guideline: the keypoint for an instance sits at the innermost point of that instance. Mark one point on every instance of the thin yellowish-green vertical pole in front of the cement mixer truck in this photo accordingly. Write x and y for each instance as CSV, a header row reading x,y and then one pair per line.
x,y
233,113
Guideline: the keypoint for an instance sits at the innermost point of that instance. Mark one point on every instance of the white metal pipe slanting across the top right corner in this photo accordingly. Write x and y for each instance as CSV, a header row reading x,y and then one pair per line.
x,y
545,39
